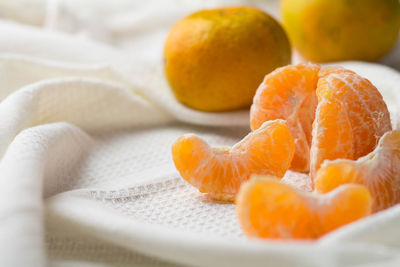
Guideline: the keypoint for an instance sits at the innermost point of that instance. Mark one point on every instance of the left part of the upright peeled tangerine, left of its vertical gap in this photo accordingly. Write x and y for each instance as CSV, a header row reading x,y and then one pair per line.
x,y
289,93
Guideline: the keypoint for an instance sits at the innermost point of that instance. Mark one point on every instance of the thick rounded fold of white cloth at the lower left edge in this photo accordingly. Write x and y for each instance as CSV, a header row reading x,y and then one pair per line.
x,y
28,161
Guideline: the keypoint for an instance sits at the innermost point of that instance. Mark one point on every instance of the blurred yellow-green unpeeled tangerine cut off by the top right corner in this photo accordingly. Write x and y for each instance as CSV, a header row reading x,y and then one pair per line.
x,y
325,30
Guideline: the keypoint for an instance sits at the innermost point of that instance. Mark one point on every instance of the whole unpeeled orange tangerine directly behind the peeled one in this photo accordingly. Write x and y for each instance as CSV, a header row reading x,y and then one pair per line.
x,y
214,59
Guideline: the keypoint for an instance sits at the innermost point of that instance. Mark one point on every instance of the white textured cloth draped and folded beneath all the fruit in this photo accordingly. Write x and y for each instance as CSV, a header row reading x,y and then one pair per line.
x,y
86,124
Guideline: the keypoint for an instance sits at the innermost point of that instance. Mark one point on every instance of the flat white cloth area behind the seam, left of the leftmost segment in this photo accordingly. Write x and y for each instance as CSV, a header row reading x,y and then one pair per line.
x,y
120,158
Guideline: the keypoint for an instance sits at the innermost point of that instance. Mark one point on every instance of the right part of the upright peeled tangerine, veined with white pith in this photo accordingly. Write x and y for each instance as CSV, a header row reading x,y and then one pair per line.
x,y
362,112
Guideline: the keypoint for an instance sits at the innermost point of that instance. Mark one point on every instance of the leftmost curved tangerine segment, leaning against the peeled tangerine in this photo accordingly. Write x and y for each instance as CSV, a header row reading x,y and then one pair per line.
x,y
220,171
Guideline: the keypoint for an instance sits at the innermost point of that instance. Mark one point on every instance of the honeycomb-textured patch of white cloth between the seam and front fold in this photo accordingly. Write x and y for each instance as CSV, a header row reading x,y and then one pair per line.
x,y
175,204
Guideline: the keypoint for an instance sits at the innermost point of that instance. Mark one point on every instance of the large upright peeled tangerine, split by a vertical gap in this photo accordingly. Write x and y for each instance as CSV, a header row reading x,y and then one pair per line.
x,y
331,112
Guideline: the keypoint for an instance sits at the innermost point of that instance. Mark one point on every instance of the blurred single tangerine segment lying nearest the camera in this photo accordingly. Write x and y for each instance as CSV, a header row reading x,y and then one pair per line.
x,y
268,208
